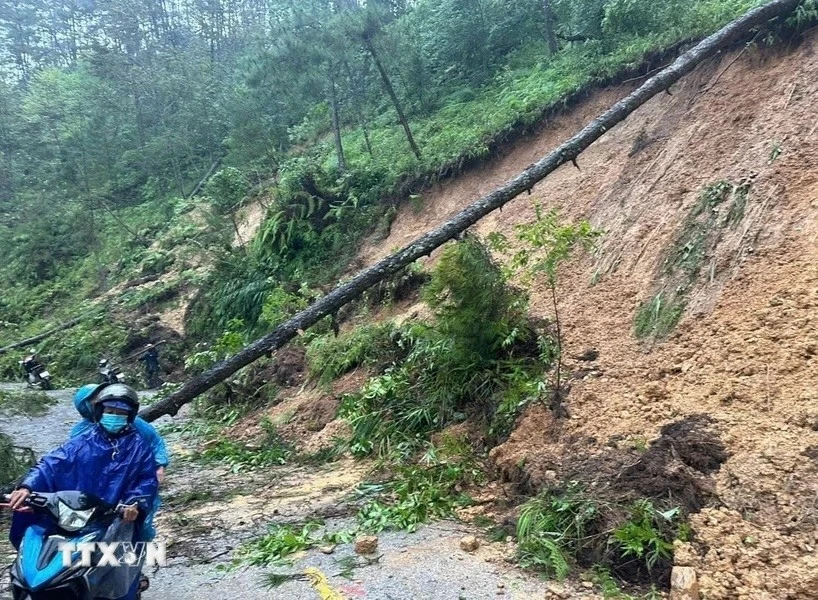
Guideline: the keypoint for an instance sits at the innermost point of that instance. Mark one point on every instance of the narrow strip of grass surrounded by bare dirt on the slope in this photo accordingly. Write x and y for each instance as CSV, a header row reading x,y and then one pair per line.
x,y
700,235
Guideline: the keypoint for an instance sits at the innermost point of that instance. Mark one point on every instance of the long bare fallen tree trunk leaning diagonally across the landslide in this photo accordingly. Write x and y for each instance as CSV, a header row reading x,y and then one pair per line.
x,y
423,246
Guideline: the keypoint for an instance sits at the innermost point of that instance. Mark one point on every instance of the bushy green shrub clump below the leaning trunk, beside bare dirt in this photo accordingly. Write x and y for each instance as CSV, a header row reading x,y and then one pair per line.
x,y
480,354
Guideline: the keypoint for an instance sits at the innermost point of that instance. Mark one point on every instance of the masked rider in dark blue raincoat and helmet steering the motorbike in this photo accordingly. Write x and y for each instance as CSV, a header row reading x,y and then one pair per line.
x,y
111,461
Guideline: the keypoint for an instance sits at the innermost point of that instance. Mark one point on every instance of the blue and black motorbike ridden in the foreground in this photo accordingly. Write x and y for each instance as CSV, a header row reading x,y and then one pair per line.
x,y
39,572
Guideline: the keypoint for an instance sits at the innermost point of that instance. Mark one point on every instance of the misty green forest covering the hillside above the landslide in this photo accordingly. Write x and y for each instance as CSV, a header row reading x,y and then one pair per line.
x,y
113,114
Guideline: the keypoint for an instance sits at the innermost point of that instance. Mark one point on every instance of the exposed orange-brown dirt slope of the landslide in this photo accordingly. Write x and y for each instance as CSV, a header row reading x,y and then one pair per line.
x,y
745,350
